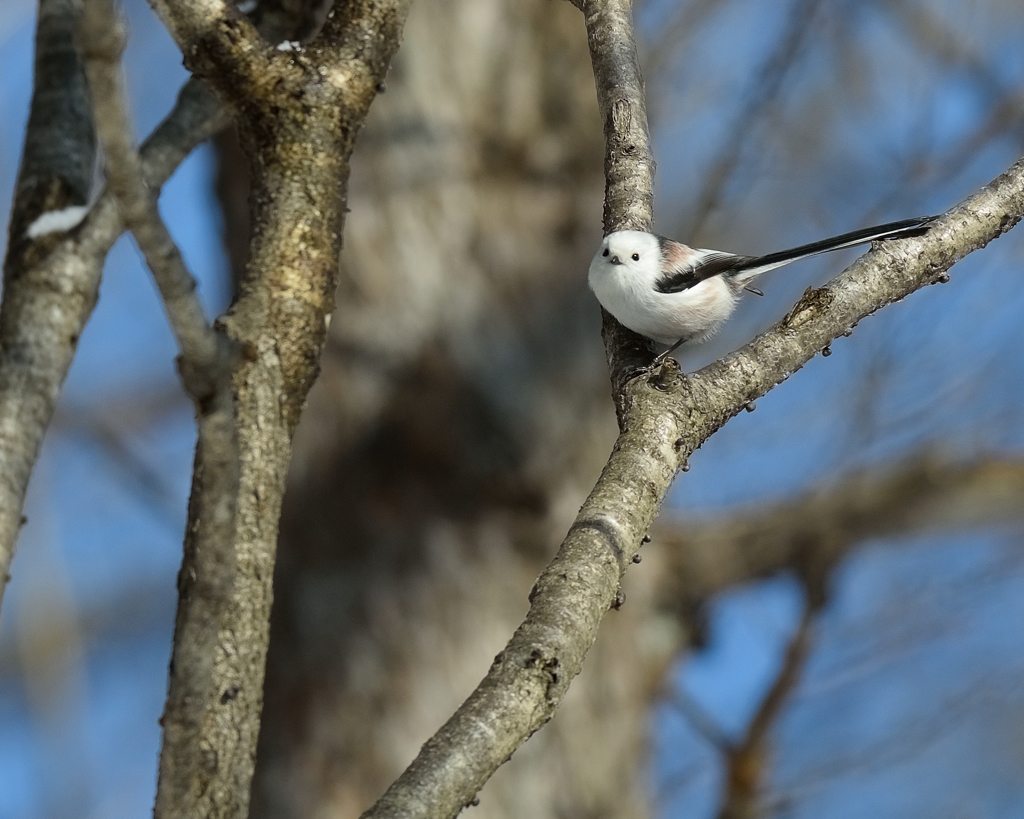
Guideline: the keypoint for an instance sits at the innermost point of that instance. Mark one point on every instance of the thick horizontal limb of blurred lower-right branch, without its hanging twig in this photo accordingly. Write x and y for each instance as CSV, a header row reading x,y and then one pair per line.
x,y
813,534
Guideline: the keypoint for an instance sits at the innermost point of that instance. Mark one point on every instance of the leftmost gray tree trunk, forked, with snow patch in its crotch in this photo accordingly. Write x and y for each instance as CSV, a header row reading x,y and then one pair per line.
x,y
51,284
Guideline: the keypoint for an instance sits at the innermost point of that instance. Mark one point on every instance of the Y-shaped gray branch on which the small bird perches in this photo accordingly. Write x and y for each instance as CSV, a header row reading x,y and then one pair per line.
x,y
663,421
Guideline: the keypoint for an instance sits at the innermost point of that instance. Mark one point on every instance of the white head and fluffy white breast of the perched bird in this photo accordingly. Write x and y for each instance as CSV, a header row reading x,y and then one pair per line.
x,y
629,292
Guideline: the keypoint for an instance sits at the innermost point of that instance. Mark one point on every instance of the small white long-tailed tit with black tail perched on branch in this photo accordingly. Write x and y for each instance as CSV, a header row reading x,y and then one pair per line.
x,y
673,293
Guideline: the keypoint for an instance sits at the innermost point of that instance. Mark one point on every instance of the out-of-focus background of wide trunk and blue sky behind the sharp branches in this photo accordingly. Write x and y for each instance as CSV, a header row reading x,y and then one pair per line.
x,y
867,663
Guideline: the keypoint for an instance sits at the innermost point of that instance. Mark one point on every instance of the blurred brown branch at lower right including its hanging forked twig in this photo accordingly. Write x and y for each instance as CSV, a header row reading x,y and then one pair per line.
x,y
812,536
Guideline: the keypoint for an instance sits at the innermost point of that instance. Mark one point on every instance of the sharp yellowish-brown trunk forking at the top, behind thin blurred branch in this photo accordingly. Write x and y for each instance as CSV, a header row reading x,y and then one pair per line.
x,y
298,113
